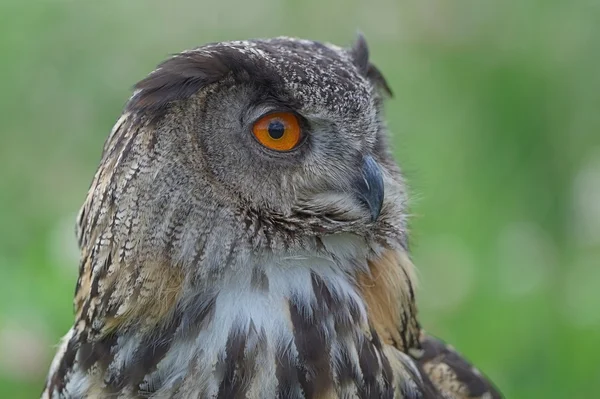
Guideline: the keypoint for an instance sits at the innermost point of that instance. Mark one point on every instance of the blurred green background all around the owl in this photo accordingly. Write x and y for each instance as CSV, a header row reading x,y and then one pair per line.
x,y
495,120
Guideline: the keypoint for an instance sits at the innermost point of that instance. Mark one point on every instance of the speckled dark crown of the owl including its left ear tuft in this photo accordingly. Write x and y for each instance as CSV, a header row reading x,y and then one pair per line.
x,y
316,76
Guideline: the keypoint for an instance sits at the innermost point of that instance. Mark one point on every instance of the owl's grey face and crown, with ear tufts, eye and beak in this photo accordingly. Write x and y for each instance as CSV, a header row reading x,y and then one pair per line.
x,y
287,128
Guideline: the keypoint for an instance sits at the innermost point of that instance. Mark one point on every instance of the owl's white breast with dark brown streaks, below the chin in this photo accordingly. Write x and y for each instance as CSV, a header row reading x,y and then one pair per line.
x,y
289,327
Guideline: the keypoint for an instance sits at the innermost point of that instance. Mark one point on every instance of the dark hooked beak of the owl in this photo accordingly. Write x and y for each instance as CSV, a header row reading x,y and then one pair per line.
x,y
369,187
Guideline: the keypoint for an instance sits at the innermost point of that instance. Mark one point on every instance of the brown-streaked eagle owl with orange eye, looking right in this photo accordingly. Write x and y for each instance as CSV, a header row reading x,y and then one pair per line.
x,y
245,237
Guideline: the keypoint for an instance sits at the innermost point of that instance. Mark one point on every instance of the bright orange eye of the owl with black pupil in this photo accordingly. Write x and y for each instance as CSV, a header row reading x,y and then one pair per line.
x,y
278,131
